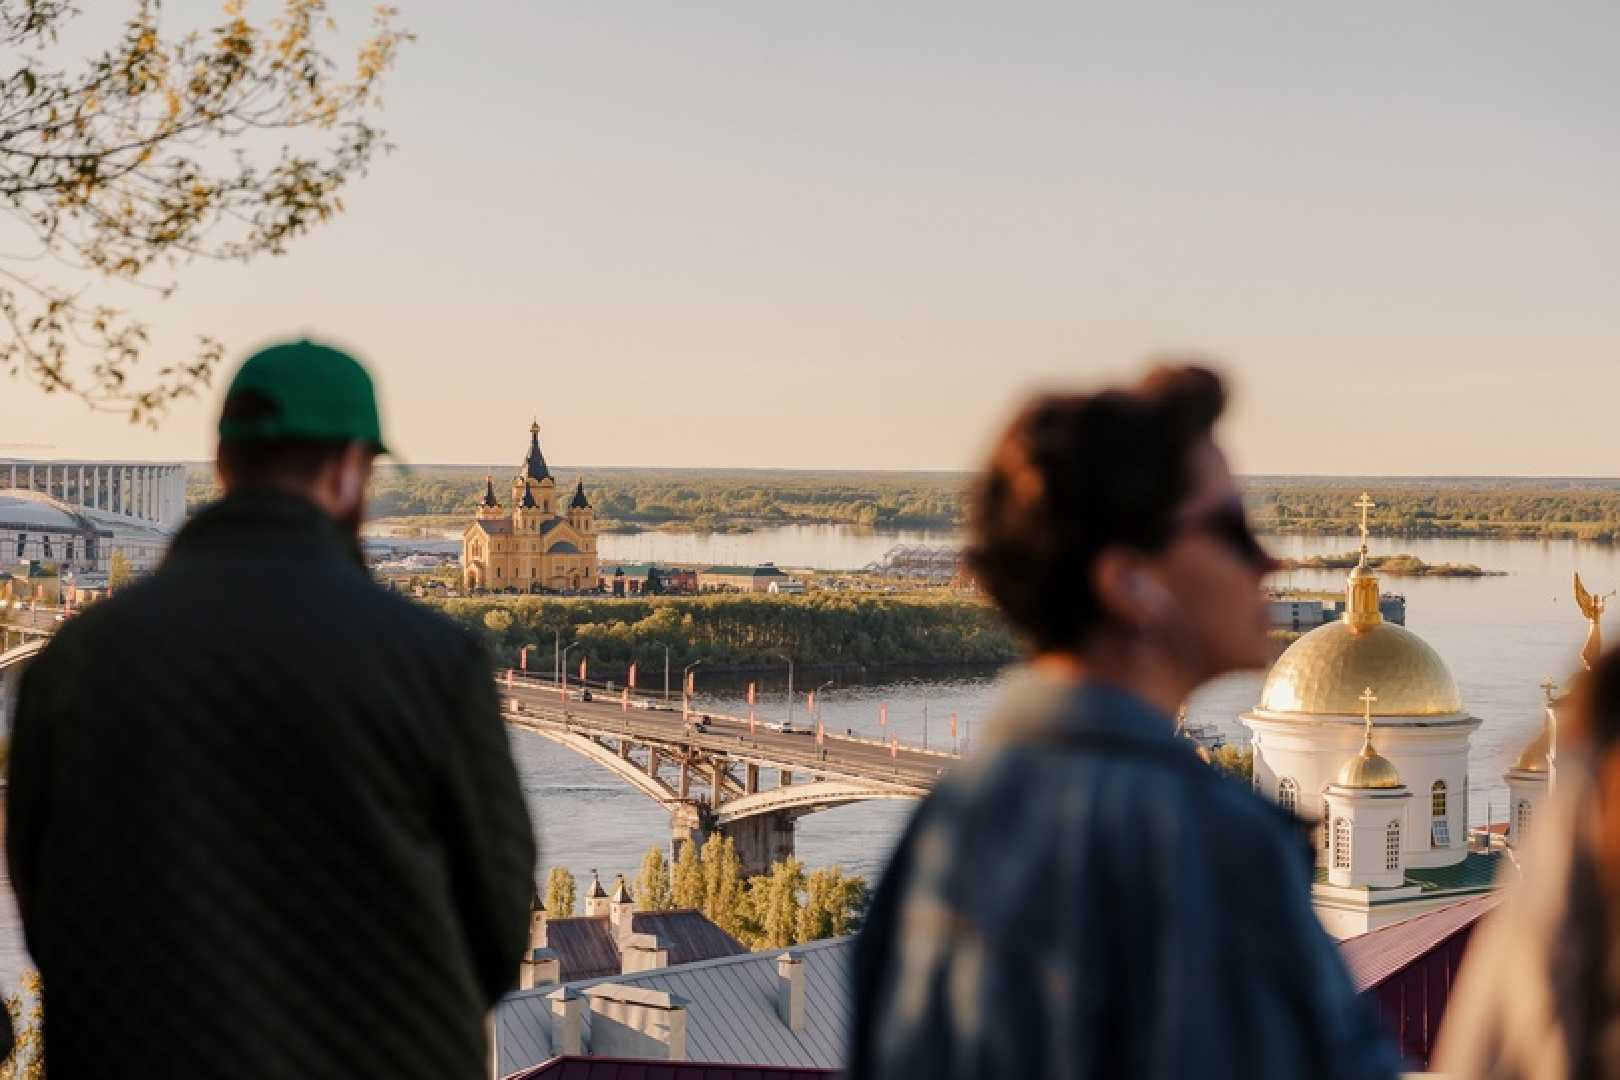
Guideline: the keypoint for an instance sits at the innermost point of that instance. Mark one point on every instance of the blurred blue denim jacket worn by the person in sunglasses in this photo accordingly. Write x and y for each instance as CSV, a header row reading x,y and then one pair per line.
x,y
1089,899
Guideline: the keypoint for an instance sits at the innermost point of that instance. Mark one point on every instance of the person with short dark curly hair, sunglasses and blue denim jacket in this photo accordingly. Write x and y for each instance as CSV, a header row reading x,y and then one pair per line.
x,y
1086,898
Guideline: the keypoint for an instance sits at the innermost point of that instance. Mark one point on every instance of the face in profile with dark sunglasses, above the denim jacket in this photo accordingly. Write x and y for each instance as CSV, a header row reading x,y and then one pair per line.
x,y
1214,569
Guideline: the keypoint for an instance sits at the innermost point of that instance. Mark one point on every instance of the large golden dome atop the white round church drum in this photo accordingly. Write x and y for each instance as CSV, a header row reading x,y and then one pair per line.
x,y
1323,674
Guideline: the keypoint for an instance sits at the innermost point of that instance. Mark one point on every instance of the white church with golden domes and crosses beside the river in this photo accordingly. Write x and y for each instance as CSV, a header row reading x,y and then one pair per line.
x,y
1363,729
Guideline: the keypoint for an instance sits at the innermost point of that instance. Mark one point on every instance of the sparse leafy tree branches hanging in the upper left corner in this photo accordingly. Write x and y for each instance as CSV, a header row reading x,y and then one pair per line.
x,y
156,151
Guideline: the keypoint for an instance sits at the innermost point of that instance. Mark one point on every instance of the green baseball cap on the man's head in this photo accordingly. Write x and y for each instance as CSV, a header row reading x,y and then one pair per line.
x,y
302,391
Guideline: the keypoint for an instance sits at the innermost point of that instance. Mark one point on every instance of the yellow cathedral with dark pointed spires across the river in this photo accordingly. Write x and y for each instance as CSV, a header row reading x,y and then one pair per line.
x,y
540,543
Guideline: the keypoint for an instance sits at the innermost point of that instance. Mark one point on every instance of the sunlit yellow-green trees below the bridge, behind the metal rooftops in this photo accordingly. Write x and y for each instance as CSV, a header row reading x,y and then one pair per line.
x,y
787,908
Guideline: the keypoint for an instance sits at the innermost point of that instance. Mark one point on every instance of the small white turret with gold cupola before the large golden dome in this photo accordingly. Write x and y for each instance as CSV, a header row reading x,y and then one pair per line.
x,y
1366,817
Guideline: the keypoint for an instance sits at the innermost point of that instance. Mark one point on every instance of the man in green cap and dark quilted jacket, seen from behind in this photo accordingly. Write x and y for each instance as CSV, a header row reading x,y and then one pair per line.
x,y
263,819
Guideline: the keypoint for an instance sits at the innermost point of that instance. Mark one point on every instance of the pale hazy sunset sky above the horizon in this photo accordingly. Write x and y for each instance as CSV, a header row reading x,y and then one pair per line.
x,y
855,236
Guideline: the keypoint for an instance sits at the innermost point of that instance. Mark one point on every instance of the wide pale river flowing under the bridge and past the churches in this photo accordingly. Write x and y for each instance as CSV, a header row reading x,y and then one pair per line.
x,y
1501,636
